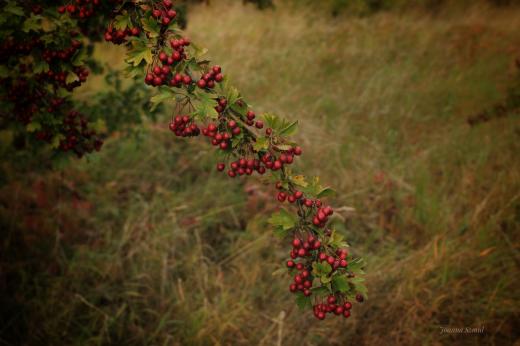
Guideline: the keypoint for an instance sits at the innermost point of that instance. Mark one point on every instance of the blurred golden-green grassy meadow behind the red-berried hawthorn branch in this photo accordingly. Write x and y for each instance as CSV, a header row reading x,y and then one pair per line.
x,y
410,109
